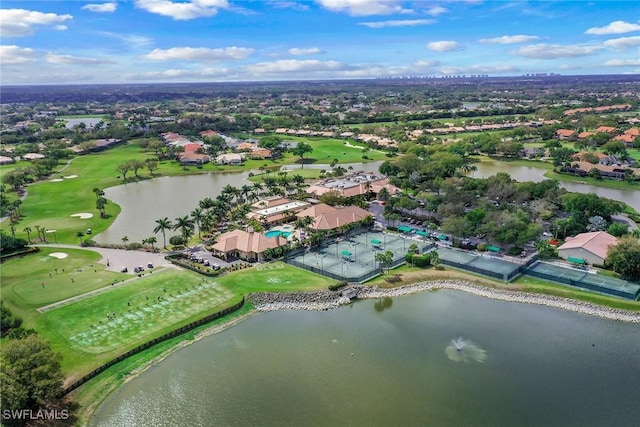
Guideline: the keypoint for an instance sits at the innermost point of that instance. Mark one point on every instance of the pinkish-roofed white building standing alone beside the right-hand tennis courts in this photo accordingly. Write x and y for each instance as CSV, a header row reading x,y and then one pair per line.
x,y
590,248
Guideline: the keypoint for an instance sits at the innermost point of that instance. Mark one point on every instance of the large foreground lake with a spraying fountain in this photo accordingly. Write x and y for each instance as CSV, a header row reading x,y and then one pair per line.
x,y
394,363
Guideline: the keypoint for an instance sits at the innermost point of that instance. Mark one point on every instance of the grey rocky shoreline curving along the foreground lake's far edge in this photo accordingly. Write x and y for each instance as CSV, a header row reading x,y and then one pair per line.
x,y
326,300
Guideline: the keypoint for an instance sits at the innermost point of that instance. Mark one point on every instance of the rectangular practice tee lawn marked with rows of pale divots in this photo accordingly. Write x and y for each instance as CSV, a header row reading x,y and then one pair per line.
x,y
76,332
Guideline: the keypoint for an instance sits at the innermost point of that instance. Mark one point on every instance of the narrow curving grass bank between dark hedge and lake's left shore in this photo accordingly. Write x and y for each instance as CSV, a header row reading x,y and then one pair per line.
x,y
90,395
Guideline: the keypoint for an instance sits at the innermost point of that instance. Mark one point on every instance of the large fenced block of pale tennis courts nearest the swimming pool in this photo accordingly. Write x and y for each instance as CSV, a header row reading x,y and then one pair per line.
x,y
353,258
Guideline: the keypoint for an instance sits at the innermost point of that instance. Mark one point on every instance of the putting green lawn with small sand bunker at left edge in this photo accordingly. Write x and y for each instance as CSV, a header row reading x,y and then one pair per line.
x,y
80,272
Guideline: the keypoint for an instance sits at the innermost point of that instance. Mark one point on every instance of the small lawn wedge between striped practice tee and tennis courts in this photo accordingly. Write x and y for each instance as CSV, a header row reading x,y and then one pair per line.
x,y
273,277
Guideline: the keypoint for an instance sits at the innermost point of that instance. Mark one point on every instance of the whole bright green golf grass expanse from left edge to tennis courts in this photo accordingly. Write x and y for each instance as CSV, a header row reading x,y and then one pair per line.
x,y
102,326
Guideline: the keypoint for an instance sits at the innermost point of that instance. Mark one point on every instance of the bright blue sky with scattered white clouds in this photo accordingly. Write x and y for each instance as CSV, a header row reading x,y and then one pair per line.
x,y
135,41
